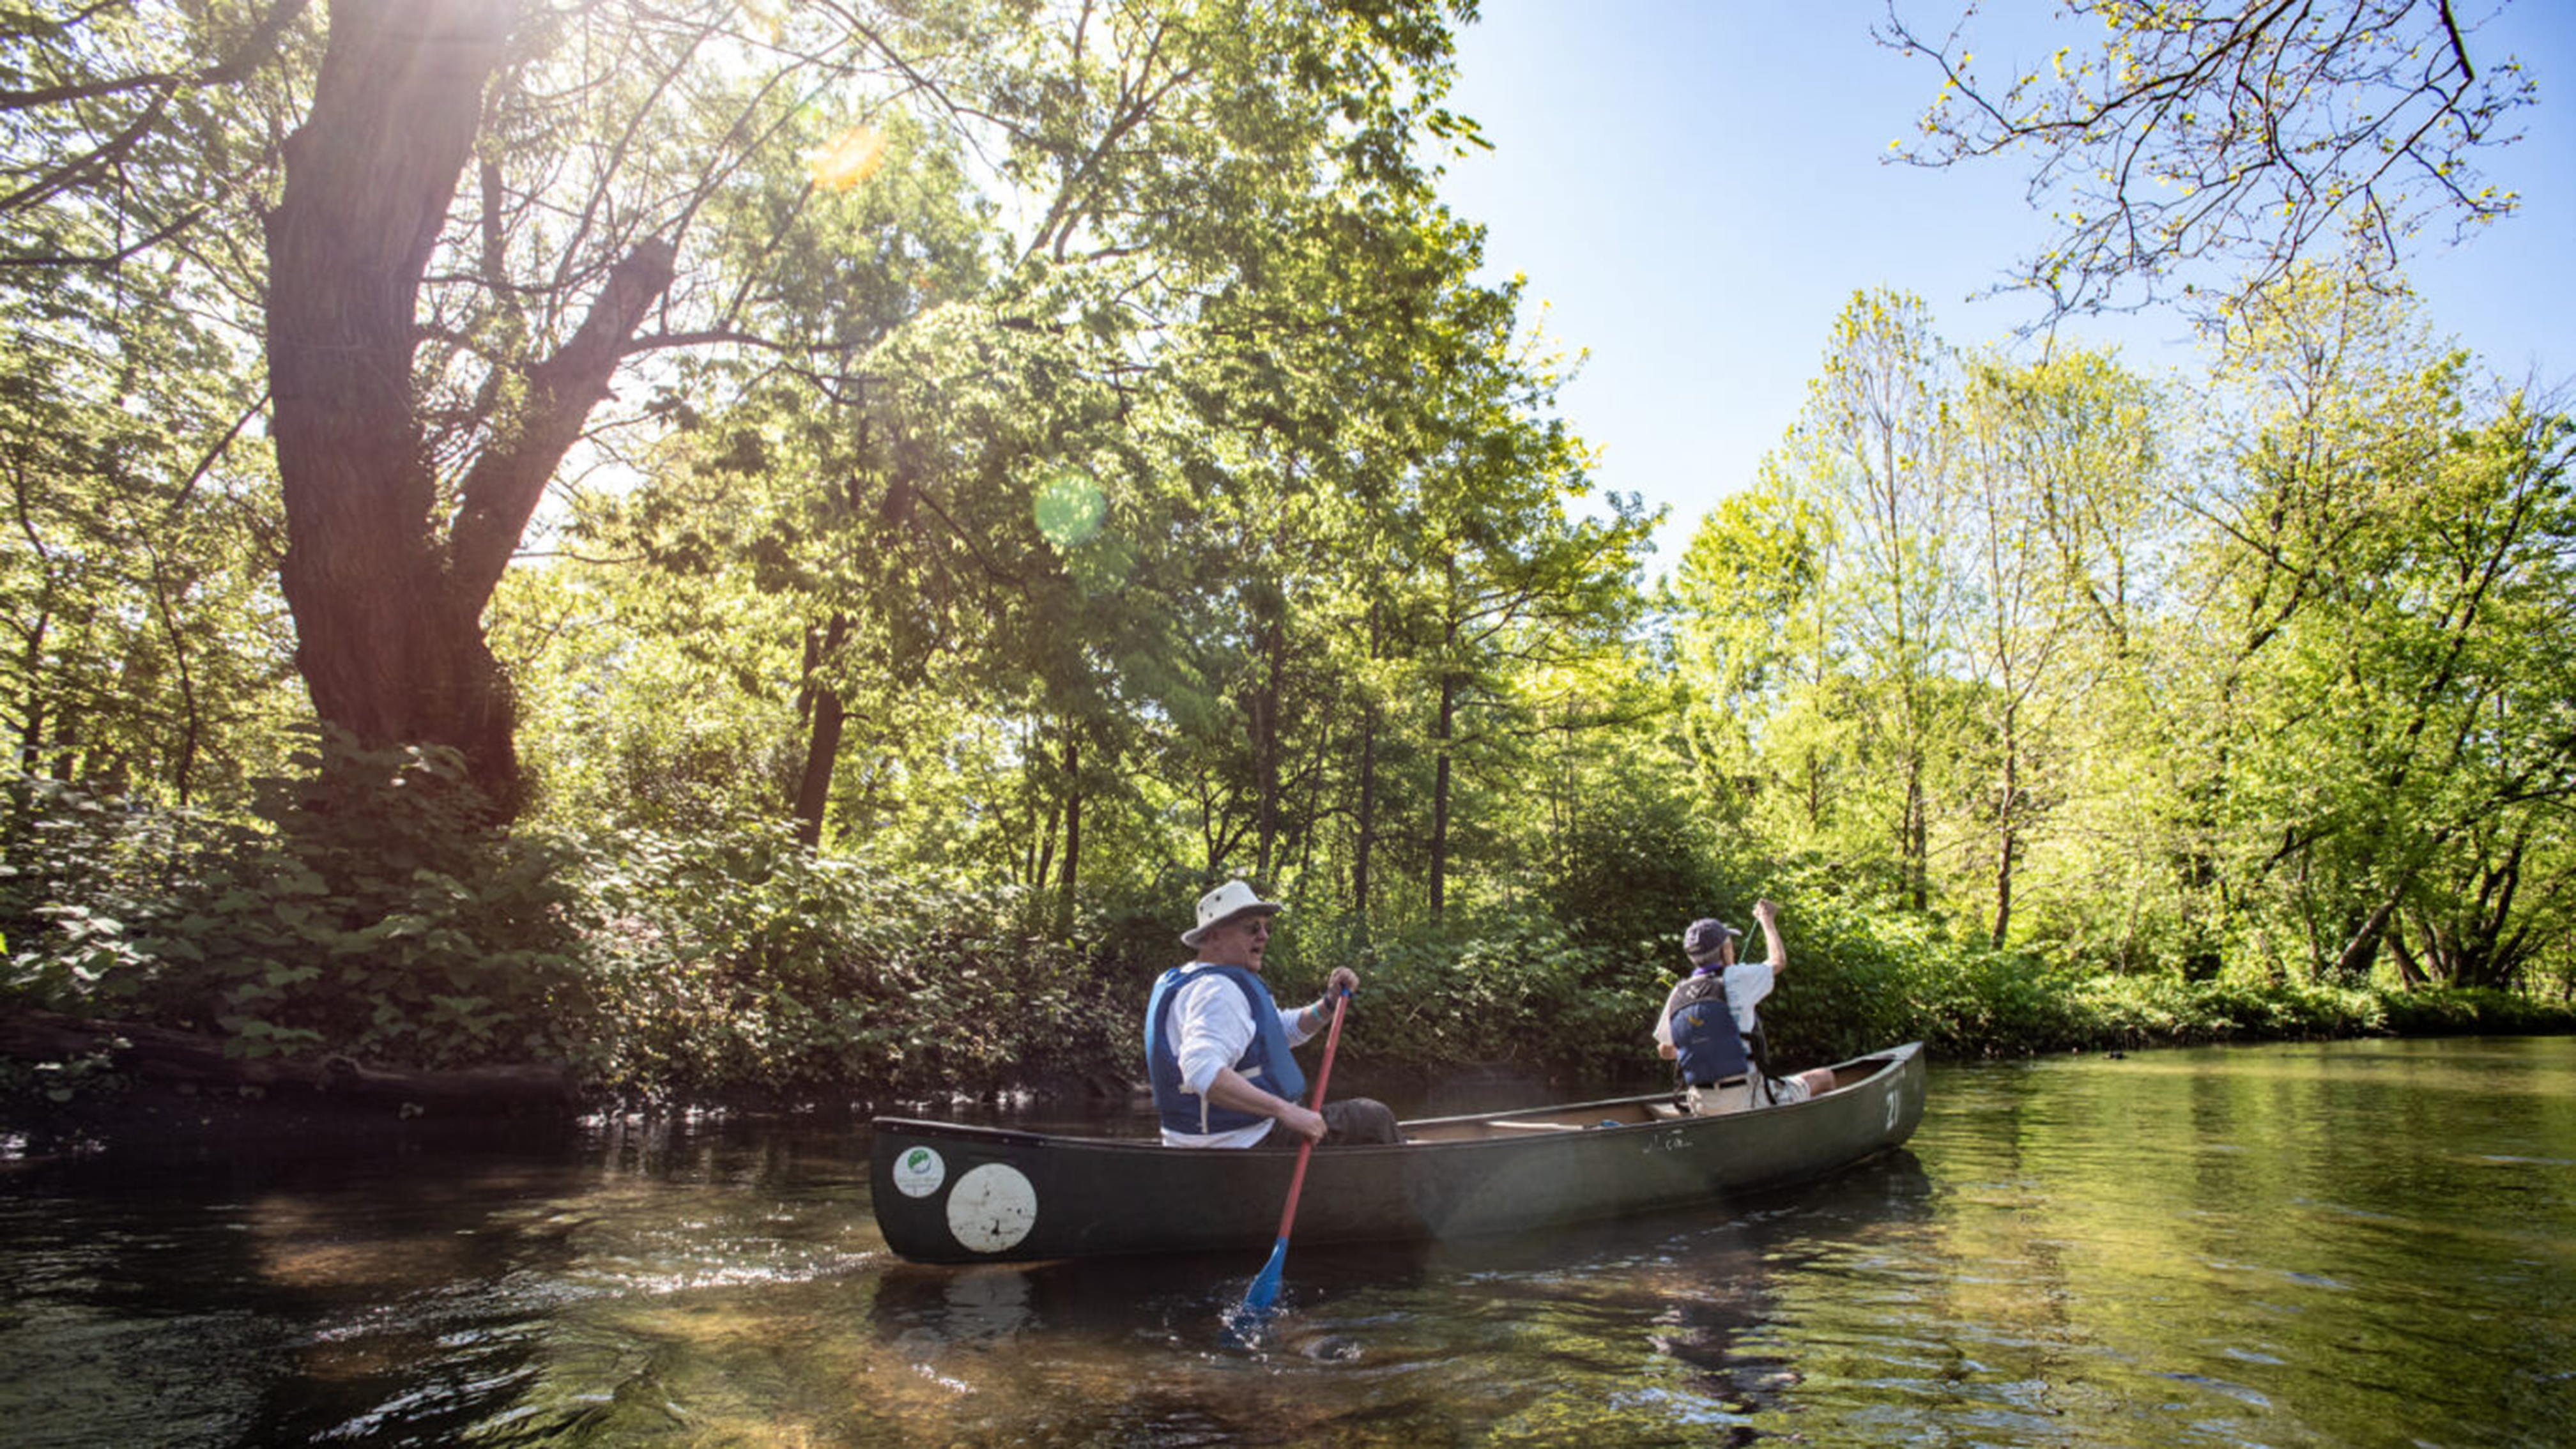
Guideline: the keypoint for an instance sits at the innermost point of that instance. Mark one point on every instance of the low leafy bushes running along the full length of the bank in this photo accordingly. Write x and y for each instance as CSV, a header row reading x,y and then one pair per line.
x,y
385,935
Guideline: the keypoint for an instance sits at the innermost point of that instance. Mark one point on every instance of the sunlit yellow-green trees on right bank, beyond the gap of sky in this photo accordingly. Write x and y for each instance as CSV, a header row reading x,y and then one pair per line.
x,y
2291,705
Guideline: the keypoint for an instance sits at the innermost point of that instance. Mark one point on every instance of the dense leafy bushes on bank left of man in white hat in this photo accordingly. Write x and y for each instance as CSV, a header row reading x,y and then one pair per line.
x,y
383,919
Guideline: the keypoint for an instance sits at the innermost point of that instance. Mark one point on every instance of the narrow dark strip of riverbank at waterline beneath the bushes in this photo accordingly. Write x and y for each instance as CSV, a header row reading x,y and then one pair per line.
x,y
151,1082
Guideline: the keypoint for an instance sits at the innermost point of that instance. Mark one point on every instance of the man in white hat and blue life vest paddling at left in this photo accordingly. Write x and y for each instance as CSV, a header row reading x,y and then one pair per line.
x,y
1220,1051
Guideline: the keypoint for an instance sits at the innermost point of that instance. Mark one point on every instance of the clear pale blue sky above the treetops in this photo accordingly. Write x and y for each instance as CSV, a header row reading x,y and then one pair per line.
x,y
1699,187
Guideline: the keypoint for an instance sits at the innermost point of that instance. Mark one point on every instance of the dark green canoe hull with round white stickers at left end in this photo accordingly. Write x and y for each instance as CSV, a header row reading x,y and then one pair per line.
x,y
970,1195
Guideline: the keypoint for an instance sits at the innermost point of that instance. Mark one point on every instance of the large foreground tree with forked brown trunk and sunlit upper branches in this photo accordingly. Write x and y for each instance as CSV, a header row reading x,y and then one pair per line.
x,y
488,210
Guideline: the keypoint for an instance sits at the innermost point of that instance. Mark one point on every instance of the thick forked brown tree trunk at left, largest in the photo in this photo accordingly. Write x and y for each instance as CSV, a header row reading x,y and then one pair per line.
x,y
388,602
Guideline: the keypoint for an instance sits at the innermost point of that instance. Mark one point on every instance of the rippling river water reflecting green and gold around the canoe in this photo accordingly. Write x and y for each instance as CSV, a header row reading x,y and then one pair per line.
x,y
2307,1244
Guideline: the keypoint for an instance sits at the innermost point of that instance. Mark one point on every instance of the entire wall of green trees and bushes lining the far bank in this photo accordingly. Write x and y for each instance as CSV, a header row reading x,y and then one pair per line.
x,y
1063,458
